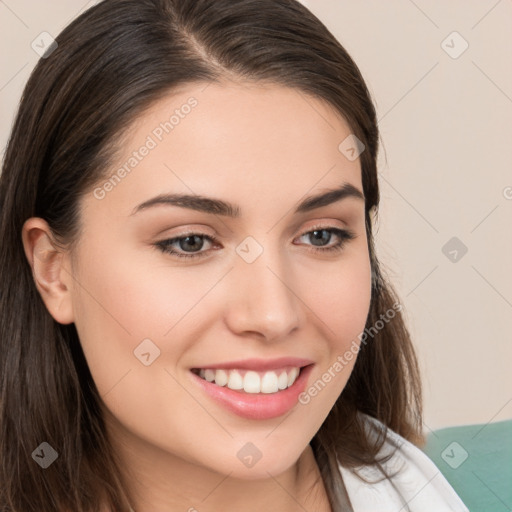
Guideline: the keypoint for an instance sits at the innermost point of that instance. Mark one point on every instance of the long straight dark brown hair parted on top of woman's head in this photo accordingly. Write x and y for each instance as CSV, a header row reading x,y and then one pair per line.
x,y
111,64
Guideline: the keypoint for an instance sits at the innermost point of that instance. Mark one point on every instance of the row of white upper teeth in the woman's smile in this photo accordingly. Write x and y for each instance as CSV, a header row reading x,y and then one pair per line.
x,y
250,381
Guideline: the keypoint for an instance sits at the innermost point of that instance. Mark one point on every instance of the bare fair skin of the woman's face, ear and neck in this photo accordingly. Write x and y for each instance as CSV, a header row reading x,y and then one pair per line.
x,y
263,148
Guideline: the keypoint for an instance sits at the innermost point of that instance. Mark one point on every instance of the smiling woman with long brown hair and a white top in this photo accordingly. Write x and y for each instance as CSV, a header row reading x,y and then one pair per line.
x,y
193,316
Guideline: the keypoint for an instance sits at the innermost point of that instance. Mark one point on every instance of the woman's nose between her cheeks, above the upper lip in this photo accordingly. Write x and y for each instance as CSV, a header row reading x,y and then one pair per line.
x,y
264,298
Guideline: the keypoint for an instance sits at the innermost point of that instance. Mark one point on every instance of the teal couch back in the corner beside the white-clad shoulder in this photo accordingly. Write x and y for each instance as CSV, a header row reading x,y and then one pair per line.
x,y
477,461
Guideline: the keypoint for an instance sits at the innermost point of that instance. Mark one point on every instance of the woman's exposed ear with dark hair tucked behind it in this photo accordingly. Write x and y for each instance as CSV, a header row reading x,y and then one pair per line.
x,y
50,269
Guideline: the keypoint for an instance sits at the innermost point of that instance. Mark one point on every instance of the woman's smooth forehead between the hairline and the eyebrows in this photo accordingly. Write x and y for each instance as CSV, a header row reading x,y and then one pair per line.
x,y
253,142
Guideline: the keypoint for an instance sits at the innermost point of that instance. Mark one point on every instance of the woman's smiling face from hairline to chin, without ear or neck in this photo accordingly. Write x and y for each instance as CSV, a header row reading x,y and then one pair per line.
x,y
165,289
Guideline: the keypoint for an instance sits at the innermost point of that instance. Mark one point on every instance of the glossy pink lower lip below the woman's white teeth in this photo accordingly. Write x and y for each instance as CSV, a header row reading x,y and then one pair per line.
x,y
257,406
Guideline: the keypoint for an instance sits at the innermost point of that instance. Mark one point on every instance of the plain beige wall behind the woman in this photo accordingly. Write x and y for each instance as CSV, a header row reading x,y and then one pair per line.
x,y
445,167
